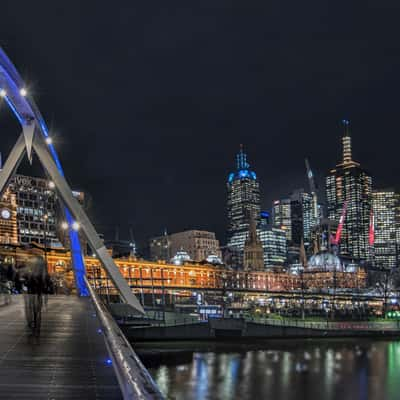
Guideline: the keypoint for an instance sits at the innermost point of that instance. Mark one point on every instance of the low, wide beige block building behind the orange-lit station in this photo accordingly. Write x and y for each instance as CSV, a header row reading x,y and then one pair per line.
x,y
200,245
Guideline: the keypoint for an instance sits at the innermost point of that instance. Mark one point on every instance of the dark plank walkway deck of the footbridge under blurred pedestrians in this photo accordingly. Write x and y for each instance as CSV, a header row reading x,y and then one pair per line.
x,y
68,361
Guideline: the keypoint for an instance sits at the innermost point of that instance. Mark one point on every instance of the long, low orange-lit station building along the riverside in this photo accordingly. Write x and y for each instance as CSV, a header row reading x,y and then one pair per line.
x,y
147,276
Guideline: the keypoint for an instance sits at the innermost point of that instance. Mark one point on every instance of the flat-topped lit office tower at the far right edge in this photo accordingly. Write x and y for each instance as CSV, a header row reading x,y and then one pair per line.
x,y
384,206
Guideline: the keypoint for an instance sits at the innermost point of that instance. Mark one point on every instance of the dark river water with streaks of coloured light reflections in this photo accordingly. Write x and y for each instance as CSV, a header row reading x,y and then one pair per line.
x,y
326,369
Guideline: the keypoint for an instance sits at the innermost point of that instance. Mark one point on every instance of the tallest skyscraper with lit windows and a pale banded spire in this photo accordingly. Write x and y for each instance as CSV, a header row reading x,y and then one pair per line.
x,y
348,192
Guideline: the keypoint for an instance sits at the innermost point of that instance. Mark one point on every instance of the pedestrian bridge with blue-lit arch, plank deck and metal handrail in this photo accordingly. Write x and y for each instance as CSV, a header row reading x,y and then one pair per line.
x,y
81,352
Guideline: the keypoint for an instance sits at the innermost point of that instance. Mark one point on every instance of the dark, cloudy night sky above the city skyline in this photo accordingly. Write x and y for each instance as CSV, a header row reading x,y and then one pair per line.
x,y
149,100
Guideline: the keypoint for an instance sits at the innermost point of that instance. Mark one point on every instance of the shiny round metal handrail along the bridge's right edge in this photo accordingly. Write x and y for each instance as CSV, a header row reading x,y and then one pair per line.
x,y
134,379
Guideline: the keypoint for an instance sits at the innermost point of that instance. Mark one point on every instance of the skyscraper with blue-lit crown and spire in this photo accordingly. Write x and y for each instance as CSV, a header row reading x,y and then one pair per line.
x,y
243,201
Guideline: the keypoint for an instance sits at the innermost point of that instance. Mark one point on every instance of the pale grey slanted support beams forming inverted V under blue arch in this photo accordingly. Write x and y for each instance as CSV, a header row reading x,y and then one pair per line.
x,y
65,194
